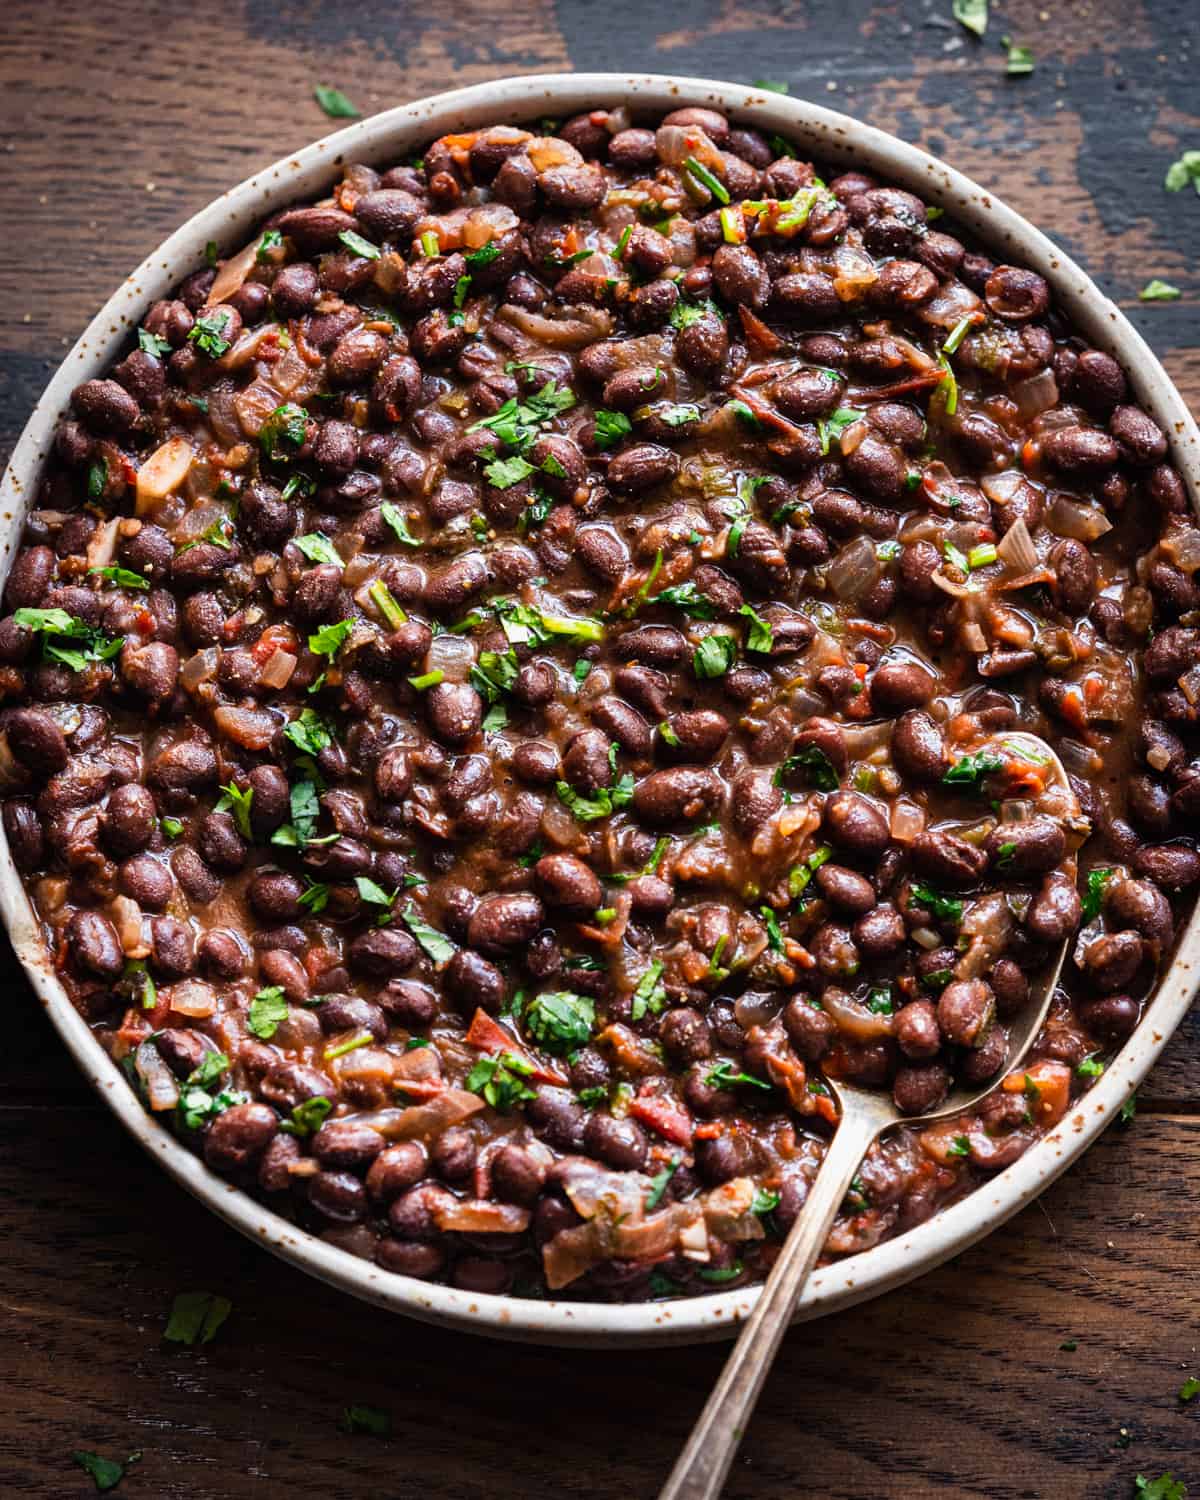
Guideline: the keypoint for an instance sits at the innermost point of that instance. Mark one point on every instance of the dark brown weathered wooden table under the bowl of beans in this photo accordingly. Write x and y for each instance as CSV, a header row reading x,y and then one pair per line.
x,y
122,119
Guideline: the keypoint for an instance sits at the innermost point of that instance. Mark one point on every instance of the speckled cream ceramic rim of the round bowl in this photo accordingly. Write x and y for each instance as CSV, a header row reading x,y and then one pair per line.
x,y
832,137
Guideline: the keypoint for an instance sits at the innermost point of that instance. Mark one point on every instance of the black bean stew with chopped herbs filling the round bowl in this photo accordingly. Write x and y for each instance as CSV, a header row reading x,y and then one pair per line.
x,y
494,685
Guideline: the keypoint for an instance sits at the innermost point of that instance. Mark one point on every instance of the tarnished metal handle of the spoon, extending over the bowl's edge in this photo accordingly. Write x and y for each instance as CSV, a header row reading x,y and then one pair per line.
x,y
701,1468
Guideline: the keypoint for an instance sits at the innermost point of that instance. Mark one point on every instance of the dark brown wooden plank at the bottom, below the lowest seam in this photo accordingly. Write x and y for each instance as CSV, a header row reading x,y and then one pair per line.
x,y
940,1388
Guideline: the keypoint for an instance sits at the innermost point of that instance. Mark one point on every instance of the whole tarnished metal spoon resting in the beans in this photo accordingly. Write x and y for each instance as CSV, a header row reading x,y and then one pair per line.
x,y
866,1114
